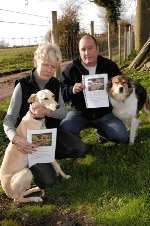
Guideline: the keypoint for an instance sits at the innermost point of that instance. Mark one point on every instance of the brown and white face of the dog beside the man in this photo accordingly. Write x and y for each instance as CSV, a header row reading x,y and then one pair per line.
x,y
120,87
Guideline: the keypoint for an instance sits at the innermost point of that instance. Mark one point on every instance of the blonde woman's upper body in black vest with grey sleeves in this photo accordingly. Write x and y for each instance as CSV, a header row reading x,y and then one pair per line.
x,y
46,60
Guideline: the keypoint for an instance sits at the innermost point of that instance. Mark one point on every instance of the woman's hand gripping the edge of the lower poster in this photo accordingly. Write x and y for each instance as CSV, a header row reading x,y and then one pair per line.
x,y
23,146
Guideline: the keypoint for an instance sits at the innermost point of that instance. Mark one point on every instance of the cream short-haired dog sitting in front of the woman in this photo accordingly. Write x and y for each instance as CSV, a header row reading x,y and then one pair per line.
x,y
15,176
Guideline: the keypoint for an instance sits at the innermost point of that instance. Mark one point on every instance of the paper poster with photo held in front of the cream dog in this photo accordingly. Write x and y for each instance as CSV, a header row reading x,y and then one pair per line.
x,y
47,144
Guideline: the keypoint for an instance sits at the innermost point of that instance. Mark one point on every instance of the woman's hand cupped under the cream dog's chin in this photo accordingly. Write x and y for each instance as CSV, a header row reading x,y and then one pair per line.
x,y
39,111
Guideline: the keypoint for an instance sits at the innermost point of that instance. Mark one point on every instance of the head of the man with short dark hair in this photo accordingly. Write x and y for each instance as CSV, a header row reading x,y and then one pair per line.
x,y
88,51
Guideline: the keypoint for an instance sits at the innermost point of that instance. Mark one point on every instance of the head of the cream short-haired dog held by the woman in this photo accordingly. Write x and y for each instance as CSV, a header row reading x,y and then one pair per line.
x,y
44,97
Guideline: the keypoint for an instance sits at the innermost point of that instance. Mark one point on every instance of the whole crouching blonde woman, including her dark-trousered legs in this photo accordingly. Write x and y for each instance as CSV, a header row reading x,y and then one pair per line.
x,y
47,57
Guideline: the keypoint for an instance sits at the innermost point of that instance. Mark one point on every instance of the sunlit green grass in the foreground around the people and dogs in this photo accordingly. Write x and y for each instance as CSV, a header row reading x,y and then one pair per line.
x,y
109,187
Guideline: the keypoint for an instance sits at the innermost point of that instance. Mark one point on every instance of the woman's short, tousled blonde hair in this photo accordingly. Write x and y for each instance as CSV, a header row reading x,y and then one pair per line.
x,y
47,51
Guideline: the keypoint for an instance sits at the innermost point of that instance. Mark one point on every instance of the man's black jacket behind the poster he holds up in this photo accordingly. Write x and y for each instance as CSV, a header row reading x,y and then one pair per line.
x,y
73,74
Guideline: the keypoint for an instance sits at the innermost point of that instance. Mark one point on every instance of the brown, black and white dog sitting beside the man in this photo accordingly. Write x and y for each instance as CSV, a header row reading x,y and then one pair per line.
x,y
127,98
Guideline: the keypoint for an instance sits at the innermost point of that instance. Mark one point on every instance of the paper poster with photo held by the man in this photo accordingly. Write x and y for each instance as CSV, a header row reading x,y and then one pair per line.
x,y
95,93
